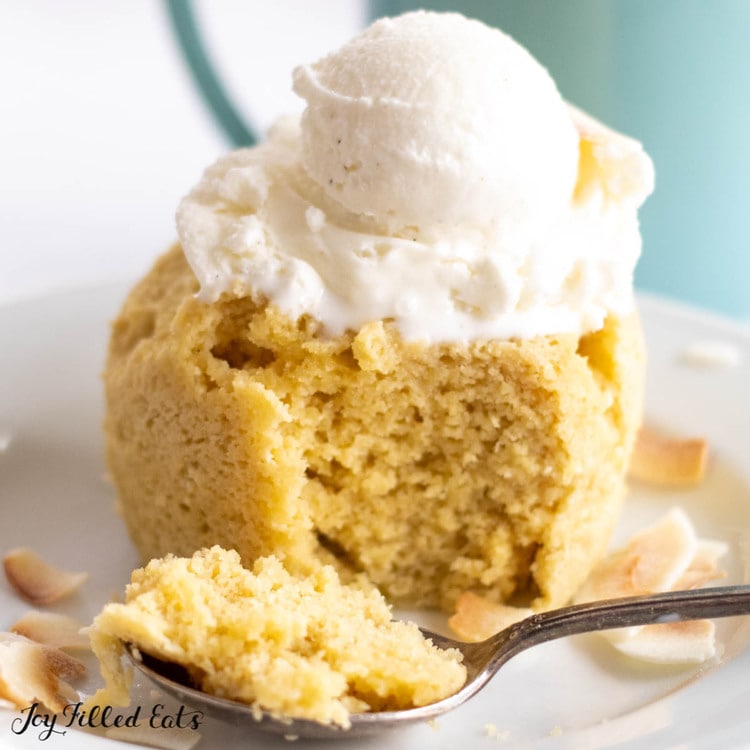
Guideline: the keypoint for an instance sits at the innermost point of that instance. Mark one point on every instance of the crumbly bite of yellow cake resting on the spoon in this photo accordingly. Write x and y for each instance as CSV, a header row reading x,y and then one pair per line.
x,y
310,647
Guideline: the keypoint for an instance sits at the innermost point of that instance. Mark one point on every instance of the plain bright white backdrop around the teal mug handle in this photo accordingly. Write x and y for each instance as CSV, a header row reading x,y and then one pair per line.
x,y
102,130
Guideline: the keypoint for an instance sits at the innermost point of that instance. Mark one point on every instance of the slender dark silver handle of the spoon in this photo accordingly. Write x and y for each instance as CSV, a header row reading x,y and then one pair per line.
x,y
671,606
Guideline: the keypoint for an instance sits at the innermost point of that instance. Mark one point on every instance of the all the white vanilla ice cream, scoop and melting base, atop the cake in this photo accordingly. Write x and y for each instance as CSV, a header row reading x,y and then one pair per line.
x,y
436,180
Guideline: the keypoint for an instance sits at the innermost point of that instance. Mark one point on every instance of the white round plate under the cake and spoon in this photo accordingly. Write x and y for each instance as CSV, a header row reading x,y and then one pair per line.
x,y
577,694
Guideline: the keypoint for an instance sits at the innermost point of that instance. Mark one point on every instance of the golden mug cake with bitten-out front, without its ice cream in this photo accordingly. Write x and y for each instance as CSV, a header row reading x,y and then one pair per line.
x,y
496,466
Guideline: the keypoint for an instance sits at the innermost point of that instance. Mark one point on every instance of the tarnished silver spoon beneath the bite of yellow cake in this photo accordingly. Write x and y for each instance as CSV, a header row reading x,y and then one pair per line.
x,y
482,660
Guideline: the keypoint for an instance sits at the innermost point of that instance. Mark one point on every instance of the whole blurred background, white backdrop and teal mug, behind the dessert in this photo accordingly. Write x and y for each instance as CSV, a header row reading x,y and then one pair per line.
x,y
112,110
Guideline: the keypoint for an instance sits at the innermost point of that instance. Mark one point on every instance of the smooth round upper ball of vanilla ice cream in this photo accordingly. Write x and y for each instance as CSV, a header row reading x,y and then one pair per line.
x,y
431,120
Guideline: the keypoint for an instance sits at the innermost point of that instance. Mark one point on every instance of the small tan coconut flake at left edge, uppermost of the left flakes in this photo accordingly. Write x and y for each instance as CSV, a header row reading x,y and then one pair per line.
x,y
37,581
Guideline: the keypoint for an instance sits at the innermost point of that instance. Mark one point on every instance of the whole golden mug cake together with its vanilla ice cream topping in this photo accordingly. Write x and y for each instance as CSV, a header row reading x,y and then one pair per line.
x,y
399,336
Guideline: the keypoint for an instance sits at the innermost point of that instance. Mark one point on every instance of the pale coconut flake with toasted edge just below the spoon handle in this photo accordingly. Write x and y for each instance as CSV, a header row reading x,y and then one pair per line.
x,y
690,642
